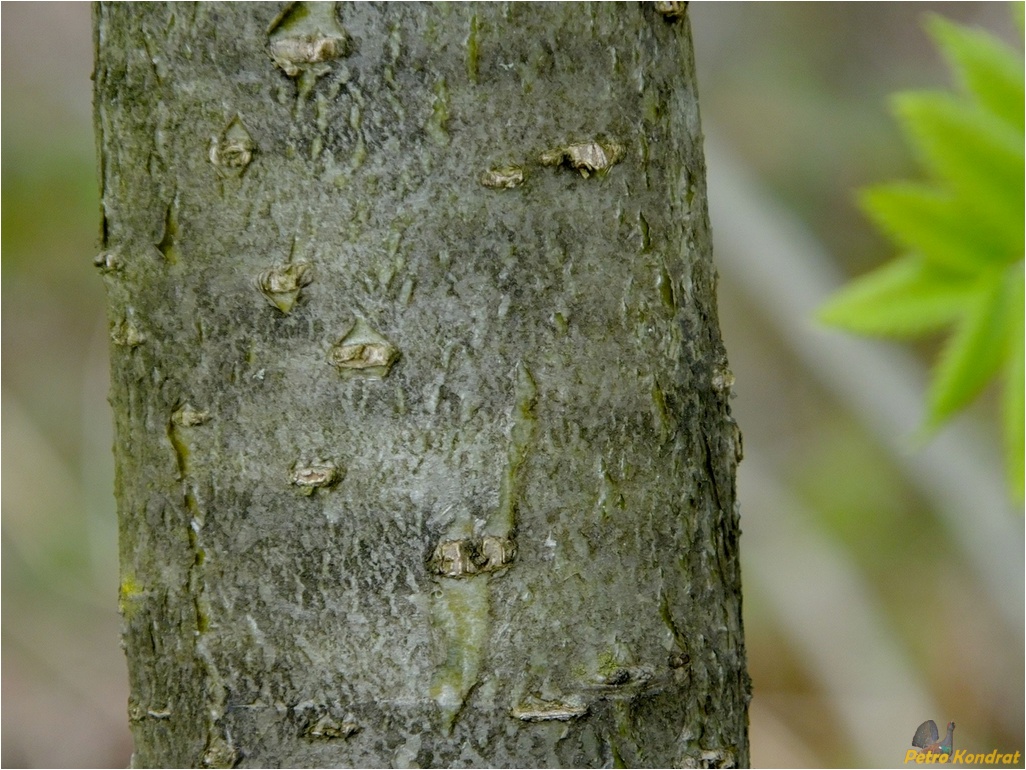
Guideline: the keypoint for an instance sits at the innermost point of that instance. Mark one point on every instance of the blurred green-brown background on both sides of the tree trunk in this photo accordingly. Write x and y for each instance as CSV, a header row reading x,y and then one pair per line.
x,y
884,580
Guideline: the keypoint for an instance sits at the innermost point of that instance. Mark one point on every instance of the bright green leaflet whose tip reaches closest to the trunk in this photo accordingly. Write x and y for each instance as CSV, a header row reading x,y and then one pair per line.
x,y
901,299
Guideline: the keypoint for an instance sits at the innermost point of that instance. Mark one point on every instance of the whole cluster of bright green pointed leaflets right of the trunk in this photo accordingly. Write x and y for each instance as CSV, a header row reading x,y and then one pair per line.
x,y
963,235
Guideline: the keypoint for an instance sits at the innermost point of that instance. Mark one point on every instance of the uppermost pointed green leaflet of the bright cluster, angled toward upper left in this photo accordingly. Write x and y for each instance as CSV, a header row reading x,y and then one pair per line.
x,y
991,70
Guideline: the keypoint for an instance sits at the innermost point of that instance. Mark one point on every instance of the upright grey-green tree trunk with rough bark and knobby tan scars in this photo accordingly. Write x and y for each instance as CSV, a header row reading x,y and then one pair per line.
x,y
424,449
